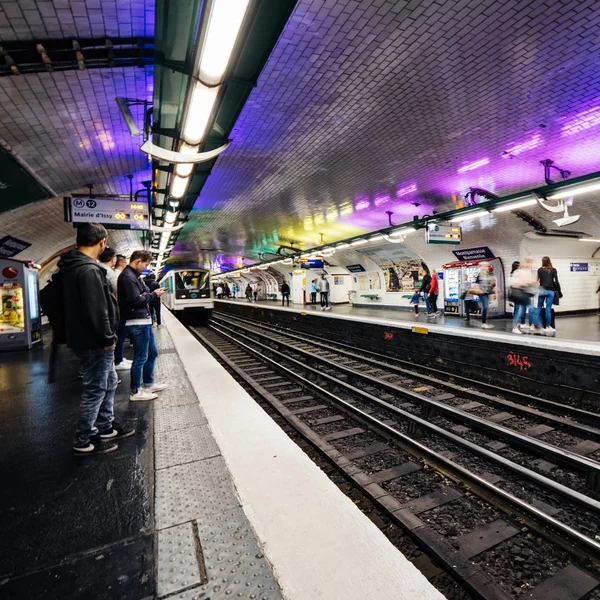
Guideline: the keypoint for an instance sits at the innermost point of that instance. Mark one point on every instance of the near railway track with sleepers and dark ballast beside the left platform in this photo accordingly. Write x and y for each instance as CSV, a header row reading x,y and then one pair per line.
x,y
446,491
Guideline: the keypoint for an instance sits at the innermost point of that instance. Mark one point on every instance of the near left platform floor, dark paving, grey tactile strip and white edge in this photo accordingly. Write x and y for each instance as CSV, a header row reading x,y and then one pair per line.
x,y
209,499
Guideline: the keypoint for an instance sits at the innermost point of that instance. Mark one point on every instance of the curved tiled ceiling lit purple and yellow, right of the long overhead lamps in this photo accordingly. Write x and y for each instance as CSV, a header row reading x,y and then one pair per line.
x,y
374,106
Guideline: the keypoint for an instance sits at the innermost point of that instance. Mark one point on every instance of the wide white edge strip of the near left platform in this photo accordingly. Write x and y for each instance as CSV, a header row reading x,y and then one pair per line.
x,y
320,544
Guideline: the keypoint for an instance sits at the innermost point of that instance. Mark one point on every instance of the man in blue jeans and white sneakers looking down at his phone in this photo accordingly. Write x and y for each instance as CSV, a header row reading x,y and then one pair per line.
x,y
134,302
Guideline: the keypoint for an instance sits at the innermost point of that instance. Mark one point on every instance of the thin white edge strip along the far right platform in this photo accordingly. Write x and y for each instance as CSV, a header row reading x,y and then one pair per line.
x,y
528,340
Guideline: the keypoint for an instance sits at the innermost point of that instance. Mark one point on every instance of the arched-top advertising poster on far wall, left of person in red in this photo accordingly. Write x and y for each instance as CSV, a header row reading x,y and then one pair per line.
x,y
401,267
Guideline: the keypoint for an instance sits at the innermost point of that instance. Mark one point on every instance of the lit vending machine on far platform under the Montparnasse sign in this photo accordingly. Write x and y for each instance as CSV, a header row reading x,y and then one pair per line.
x,y
460,276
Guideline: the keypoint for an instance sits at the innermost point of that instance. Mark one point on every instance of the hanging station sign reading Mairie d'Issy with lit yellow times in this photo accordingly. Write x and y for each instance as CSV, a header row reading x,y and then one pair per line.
x,y
113,213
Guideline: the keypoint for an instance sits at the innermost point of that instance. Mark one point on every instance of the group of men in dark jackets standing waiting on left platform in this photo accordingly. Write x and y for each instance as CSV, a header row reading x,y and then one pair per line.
x,y
105,300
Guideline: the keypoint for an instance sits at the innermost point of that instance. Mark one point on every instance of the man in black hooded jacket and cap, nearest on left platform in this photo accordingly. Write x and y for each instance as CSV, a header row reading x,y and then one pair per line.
x,y
91,318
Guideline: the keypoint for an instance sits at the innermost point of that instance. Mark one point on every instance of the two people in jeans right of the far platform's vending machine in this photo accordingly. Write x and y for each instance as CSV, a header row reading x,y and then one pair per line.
x,y
523,288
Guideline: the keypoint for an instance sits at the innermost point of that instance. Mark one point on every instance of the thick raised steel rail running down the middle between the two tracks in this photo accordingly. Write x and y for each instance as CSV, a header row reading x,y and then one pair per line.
x,y
562,456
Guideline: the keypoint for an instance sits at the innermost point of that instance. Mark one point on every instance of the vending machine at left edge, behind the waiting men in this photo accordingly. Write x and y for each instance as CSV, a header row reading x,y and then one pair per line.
x,y
20,319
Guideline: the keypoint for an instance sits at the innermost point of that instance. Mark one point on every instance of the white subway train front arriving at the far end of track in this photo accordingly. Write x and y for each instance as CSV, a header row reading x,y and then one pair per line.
x,y
188,293
